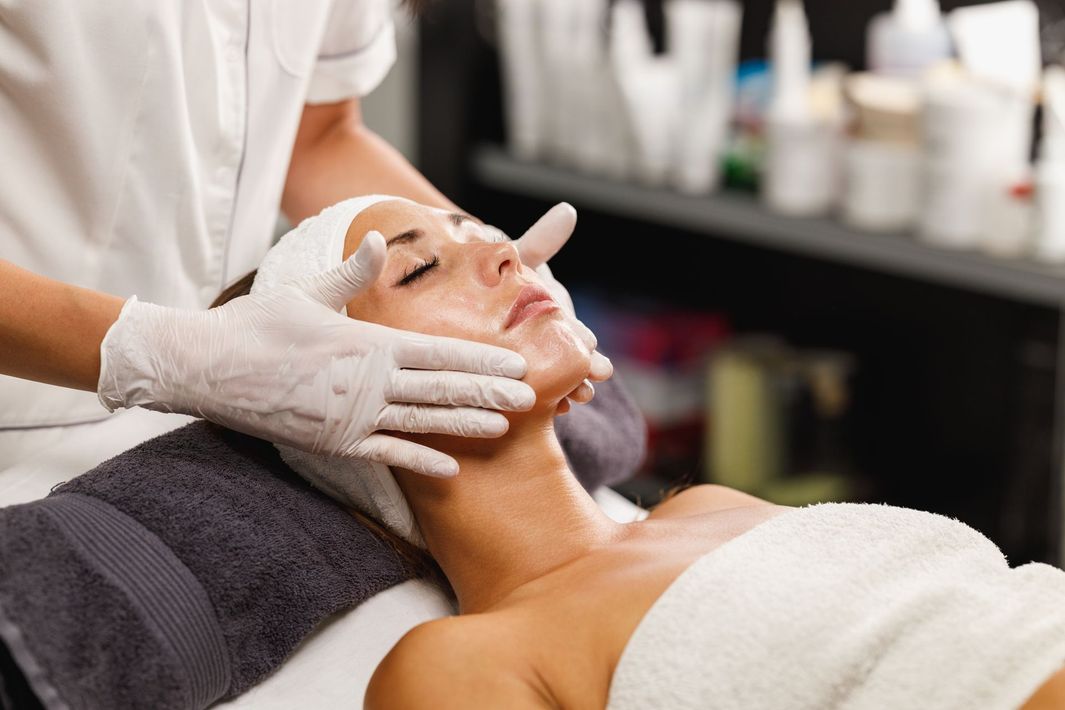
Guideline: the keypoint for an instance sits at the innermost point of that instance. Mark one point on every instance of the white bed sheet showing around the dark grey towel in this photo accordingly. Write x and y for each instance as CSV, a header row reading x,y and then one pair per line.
x,y
333,667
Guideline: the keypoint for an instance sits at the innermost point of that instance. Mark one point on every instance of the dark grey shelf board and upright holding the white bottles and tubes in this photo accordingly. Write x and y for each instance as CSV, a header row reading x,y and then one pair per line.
x,y
740,218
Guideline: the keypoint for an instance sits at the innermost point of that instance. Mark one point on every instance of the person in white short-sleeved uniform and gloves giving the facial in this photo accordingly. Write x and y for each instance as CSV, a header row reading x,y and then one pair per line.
x,y
148,148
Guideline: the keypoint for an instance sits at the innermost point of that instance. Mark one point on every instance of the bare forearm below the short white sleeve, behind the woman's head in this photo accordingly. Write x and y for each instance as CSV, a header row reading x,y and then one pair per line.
x,y
337,157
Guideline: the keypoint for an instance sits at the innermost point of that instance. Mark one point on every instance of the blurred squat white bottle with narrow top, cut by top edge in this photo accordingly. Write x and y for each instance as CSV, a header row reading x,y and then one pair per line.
x,y
909,40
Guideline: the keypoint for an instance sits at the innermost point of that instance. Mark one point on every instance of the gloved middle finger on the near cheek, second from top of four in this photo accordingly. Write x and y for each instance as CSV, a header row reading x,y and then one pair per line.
x,y
422,387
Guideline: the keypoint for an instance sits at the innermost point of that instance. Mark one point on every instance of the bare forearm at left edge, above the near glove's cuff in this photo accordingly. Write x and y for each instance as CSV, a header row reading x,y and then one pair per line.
x,y
52,332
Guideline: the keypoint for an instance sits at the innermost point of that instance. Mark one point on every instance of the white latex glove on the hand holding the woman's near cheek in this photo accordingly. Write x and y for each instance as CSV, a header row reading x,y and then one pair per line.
x,y
288,368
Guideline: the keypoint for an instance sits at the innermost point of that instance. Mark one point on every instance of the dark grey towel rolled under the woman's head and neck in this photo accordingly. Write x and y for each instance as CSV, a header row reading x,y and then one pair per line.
x,y
189,568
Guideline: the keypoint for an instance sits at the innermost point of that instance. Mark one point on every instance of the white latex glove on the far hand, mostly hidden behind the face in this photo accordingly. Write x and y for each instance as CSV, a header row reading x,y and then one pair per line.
x,y
540,243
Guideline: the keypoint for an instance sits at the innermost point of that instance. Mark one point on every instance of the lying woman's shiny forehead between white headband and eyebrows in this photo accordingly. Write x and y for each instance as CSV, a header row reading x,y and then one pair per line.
x,y
398,218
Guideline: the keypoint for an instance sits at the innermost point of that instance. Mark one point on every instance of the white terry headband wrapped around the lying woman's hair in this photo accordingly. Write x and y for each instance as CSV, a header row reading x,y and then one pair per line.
x,y
315,246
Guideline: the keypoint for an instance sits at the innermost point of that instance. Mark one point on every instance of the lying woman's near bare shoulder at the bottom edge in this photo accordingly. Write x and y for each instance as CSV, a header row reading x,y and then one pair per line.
x,y
450,664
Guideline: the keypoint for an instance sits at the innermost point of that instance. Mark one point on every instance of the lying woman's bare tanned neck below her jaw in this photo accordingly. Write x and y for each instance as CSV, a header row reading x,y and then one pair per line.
x,y
514,514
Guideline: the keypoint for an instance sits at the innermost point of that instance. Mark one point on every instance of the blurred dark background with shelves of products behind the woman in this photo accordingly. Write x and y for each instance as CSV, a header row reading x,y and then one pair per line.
x,y
822,242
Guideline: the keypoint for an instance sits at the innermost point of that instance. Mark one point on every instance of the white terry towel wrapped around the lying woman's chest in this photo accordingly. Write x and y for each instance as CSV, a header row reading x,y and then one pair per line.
x,y
848,606
